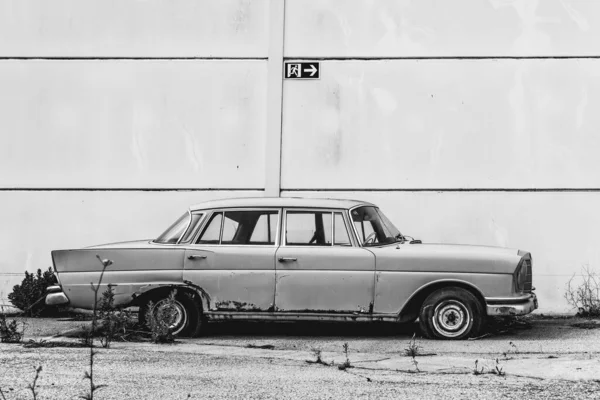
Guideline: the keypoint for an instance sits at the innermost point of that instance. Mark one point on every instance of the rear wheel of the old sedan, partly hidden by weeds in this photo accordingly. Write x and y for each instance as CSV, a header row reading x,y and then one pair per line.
x,y
185,313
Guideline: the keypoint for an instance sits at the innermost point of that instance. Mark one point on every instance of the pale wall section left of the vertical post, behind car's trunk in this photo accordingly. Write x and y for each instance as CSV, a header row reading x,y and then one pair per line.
x,y
144,96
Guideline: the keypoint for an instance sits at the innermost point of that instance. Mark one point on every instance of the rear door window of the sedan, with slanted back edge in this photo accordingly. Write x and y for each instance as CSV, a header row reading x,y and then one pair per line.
x,y
241,228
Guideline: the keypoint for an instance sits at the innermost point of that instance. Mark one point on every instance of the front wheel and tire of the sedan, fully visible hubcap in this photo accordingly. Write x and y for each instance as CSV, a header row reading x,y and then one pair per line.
x,y
451,314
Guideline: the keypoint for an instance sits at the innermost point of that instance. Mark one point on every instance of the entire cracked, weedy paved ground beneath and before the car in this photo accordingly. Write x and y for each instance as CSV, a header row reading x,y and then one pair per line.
x,y
536,359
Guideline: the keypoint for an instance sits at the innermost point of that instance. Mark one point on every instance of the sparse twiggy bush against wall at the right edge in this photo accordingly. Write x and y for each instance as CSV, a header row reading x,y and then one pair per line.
x,y
584,295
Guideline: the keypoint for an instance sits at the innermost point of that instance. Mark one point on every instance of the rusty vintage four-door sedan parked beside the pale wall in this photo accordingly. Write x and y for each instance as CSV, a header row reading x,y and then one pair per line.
x,y
296,259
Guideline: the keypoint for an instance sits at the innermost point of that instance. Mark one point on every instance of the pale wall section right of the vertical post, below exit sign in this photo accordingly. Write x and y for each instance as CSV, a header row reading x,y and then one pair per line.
x,y
424,105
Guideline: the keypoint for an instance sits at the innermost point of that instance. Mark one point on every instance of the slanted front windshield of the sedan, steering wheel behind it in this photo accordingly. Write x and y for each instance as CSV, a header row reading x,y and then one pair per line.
x,y
373,227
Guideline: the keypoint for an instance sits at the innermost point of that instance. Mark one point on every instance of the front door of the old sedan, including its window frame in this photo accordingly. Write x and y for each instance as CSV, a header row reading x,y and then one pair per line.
x,y
318,267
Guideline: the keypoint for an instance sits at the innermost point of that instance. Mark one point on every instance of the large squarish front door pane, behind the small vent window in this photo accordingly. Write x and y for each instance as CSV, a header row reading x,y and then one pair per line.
x,y
308,228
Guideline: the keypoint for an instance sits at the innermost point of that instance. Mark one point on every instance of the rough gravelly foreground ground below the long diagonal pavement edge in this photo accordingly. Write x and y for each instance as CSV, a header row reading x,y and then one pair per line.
x,y
137,374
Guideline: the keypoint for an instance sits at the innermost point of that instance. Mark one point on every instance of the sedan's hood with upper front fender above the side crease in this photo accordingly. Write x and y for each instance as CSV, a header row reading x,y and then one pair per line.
x,y
446,258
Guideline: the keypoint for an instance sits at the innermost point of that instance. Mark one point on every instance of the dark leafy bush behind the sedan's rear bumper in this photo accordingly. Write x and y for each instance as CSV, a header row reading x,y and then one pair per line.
x,y
30,294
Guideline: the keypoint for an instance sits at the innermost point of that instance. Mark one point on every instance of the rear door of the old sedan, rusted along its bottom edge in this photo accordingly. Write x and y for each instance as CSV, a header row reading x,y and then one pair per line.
x,y
233,260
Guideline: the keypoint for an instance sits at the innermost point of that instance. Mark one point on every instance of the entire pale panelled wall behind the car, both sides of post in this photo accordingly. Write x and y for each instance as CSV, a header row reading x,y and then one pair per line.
x,y
468,121
